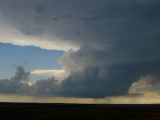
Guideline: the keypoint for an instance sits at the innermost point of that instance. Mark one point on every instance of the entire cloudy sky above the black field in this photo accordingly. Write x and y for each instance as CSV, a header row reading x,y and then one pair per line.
x,y
90,49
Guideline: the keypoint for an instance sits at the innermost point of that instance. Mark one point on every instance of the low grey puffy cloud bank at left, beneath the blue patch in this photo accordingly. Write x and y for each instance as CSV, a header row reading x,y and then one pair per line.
x,y
19,84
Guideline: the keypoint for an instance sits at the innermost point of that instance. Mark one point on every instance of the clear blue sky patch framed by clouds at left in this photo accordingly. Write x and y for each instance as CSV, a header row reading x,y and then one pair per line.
x,y
30,57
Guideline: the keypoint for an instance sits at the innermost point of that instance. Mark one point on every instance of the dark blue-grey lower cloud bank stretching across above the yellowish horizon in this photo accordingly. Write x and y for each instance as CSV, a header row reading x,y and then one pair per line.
x,y
86,83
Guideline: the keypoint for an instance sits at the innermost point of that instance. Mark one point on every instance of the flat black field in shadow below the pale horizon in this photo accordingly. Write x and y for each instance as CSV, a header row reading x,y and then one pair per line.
x,y
78,112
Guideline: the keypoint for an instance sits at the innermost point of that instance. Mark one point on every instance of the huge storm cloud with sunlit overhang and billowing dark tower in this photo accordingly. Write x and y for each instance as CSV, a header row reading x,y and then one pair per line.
x,y
108,44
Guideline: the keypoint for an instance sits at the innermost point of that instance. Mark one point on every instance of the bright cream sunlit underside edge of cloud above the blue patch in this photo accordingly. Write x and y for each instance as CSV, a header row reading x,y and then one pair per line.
x,y
9,34
